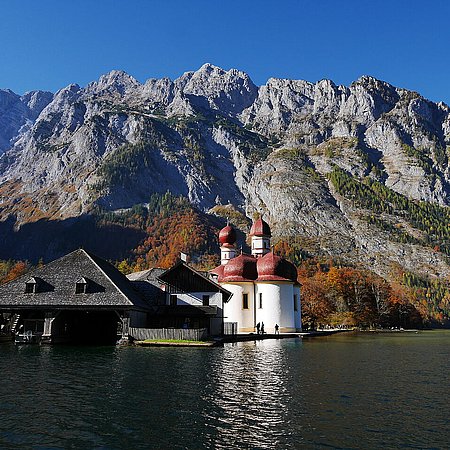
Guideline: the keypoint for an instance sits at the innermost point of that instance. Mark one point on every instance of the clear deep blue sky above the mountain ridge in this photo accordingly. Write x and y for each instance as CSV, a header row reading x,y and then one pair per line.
x,y
48,44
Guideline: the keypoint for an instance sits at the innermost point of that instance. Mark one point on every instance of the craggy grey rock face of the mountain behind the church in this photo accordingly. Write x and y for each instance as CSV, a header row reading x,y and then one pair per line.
x,y
216,138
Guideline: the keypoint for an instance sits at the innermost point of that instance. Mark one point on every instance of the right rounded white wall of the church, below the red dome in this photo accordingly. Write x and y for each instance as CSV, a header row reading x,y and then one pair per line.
x,y
277,306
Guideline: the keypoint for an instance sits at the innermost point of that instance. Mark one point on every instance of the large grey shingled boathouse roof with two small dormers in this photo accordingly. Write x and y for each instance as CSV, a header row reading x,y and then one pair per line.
x,y
107,288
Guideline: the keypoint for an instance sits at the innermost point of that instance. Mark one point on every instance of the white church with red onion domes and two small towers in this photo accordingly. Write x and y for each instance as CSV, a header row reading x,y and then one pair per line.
x,y
264,285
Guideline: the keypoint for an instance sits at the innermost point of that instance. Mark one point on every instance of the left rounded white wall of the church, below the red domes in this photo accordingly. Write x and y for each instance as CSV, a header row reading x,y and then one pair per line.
x,y
234,311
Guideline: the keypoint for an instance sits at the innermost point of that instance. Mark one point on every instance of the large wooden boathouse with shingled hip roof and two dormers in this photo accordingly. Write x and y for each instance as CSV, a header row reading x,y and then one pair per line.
x,y
79,298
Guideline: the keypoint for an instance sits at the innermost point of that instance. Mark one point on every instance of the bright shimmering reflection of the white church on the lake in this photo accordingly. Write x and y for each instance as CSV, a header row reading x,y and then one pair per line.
x,y
249,397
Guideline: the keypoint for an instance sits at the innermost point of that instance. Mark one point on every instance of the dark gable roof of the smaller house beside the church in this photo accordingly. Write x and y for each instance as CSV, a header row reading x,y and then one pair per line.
x,y
186,279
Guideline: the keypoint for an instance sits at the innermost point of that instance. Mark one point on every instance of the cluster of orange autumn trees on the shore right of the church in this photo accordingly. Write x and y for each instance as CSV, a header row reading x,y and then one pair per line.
x,y
346,296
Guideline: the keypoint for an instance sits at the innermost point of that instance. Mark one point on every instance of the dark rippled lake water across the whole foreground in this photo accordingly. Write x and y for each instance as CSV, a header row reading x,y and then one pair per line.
x,y
356,391
